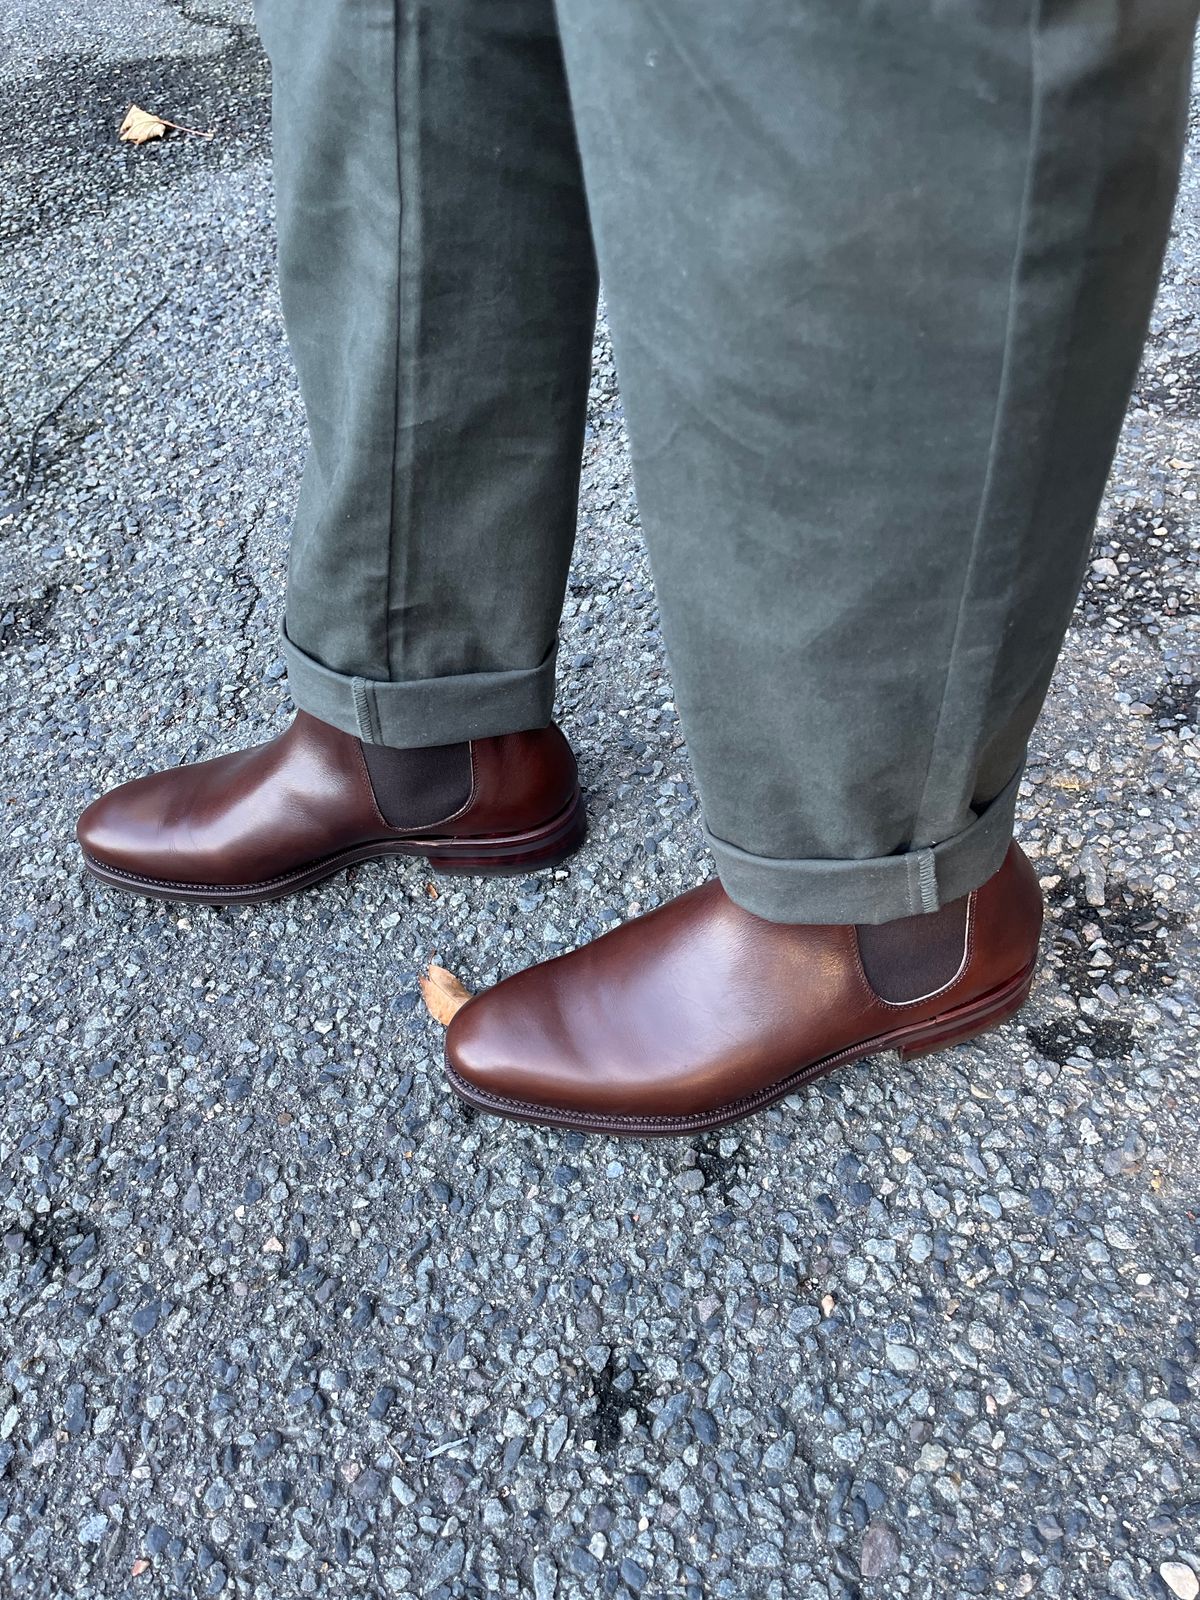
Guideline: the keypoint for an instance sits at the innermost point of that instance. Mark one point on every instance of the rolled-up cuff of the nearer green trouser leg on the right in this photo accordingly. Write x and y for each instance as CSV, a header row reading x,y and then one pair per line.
x,y
870,892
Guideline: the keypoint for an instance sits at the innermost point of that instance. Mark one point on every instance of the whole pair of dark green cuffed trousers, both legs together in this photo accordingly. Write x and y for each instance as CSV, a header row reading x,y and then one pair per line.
x,y
878,274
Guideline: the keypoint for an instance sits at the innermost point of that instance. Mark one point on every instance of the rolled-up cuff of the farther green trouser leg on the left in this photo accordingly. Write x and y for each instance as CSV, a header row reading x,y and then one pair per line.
x,y
423,711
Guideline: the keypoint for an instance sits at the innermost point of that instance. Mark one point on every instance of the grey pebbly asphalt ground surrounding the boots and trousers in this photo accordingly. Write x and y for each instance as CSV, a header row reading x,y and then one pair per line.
x,y
278,1316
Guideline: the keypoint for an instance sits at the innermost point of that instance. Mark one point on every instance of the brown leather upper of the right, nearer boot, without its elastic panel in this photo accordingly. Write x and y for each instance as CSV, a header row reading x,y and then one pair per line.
x,y
700,1004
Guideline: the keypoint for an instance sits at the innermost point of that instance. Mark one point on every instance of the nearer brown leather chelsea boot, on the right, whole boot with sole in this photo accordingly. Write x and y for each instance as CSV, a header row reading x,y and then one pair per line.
x,y
700,1012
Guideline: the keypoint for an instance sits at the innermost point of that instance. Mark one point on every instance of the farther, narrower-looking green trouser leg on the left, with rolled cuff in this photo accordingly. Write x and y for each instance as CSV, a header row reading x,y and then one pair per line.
x,y
439,290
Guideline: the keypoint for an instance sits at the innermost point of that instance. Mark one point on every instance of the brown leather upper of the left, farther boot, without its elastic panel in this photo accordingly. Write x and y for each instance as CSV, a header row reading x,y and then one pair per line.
x,y
262,814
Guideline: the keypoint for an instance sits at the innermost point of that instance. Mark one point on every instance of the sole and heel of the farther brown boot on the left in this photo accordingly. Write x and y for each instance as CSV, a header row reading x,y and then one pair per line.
x,y
498,855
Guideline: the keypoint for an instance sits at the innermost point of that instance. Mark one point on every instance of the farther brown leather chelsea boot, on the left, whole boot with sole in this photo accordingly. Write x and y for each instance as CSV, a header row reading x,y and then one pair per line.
x,y
266,822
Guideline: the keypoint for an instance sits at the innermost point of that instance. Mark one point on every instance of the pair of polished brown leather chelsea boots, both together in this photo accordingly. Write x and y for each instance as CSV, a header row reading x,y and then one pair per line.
x,y
687,1018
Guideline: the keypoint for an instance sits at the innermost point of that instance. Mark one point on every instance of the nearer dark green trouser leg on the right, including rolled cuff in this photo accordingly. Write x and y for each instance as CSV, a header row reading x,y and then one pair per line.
x,y
879,279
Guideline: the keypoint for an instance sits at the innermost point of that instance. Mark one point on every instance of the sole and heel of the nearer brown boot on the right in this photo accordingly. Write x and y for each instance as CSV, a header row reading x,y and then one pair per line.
x,y
942,1033
